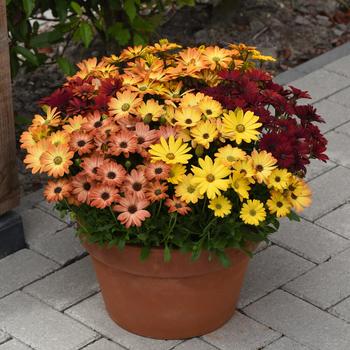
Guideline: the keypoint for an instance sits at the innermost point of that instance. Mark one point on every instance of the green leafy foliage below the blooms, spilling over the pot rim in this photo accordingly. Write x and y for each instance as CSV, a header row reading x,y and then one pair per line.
x,y
190,233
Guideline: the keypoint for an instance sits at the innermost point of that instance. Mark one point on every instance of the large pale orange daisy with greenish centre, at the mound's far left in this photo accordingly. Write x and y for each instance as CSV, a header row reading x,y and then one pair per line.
x,y
57,160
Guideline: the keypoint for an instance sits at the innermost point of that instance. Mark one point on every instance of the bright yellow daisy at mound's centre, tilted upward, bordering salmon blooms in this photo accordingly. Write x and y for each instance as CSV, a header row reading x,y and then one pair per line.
x,y
171,152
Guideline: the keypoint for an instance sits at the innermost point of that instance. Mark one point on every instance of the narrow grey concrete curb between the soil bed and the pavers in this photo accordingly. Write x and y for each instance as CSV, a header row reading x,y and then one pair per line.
x,y
313,64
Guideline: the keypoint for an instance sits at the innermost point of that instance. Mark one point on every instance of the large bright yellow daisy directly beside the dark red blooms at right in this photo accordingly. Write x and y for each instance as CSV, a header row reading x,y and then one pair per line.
x,y
239,126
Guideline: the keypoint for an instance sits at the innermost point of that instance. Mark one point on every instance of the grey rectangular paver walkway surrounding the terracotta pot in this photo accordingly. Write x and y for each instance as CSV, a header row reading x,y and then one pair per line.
x,y
297,291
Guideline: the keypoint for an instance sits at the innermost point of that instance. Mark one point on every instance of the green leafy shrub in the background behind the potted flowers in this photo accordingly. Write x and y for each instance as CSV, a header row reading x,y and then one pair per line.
x,y
116,22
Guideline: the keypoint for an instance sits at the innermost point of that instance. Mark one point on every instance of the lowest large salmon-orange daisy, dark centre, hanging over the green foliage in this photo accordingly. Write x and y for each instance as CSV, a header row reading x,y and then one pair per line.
x,y
132,211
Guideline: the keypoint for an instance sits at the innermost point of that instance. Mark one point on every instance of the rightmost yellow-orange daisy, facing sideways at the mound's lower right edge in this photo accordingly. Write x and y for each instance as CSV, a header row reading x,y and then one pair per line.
x,y
299,194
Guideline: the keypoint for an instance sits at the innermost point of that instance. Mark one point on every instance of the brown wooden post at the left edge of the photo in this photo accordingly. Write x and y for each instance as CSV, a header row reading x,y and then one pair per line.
x,y
9,184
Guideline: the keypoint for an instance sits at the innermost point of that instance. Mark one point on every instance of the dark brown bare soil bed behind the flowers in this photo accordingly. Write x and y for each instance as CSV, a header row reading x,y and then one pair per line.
x,y
293,31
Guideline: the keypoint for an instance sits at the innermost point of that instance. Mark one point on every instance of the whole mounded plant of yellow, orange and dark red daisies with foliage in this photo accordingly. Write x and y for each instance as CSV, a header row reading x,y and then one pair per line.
x,y
192,149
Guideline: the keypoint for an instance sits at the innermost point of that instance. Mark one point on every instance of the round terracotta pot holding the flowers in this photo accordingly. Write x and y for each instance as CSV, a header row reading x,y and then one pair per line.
x,y
175,300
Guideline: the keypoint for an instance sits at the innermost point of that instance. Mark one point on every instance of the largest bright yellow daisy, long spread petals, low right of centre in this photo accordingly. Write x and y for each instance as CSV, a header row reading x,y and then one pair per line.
x,y
210,177
